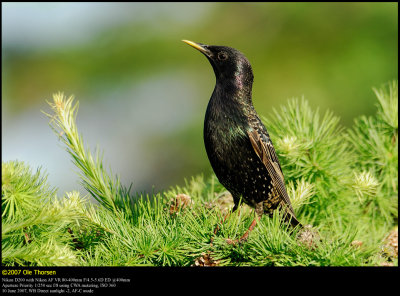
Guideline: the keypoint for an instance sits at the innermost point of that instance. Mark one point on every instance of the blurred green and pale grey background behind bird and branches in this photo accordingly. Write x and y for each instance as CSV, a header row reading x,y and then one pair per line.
x,y
143,93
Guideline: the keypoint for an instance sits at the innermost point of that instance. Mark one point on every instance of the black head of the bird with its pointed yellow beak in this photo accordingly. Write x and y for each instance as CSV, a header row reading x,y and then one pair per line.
x,y
228,63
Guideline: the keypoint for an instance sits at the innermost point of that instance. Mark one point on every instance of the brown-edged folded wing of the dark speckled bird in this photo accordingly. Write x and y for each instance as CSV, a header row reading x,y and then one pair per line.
x,y
266,152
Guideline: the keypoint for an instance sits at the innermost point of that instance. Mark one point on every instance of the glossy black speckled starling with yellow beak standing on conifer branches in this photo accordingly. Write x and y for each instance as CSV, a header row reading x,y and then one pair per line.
x,y
237,143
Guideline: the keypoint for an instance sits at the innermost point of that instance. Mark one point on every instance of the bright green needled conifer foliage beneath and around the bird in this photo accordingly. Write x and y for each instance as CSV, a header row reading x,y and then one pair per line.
x,y
342,181
